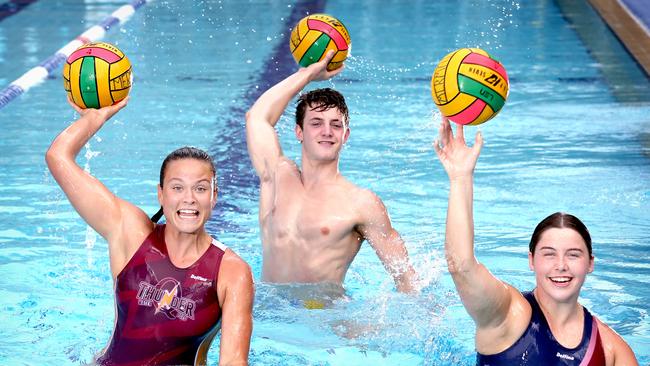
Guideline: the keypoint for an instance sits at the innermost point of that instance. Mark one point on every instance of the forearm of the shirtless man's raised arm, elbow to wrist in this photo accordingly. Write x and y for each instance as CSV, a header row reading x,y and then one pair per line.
x,y
270,106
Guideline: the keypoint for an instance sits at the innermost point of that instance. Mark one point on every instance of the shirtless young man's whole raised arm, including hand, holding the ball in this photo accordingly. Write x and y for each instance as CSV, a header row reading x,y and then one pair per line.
x,y
263,145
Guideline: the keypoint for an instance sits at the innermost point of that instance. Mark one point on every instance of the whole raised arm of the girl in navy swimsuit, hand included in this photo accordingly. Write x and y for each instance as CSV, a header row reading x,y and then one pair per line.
x,y
486,298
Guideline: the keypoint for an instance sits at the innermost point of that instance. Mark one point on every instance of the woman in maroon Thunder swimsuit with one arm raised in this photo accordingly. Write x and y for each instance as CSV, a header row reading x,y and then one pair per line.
x,y
175,286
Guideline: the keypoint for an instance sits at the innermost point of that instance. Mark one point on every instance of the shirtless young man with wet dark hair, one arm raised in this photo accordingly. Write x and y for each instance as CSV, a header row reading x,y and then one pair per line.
x,y
312,219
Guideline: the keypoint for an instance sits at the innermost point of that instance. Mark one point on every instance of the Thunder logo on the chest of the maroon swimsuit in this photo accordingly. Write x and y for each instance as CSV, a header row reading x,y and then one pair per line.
x,y
167,297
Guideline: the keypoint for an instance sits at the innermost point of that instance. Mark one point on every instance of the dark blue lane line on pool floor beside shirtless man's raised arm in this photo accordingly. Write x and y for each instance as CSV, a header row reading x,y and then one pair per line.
x,y
229,151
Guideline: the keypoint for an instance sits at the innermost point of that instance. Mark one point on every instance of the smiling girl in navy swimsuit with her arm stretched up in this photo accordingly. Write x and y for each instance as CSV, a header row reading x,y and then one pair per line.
x,y
546,326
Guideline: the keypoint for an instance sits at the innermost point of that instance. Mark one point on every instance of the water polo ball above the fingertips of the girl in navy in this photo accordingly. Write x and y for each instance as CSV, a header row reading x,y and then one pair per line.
x,y
469,86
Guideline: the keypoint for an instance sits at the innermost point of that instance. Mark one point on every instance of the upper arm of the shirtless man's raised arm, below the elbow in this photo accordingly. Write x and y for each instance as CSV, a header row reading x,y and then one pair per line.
x,y
263,146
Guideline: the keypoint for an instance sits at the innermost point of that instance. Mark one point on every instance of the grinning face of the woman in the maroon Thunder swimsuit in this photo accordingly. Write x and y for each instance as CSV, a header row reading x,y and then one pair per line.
x,y
188,194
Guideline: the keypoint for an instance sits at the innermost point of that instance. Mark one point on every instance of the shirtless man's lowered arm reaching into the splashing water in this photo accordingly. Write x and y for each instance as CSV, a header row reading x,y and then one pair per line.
x,y
387,243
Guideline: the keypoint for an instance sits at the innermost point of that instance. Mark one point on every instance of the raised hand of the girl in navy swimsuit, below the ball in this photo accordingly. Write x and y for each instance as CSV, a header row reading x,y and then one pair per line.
x,y
457,158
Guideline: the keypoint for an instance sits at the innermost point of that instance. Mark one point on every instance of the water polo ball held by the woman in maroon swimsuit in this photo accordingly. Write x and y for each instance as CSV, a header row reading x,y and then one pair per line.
x,y
97,75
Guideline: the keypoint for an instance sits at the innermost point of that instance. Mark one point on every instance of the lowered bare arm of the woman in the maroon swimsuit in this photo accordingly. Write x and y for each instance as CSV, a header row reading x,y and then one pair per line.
x,y
236,292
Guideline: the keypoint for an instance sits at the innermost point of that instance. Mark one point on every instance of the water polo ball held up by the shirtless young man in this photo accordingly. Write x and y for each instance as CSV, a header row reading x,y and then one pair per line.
x,y
314,36
